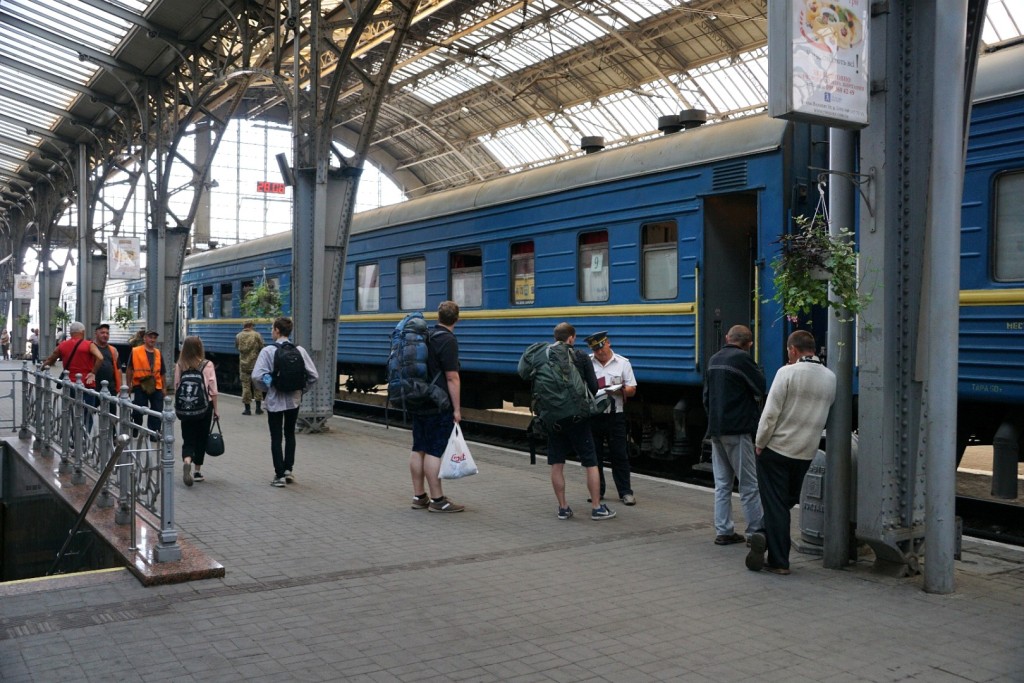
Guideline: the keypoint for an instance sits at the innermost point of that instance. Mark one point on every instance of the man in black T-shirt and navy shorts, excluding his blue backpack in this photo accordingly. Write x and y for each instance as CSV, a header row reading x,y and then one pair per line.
x,y
432,433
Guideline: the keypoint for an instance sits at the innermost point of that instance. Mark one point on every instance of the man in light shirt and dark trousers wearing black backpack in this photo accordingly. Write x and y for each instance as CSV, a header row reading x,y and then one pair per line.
x,y
283,372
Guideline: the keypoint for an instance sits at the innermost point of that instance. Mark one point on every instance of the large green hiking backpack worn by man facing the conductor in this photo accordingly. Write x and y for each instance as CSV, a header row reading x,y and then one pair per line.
x,y
560,392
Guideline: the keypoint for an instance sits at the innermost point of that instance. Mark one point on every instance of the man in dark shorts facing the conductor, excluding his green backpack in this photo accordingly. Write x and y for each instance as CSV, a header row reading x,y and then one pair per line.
x,y
576,438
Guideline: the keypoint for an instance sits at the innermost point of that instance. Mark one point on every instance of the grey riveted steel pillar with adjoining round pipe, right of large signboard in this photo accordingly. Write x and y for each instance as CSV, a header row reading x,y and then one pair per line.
x,y
905,378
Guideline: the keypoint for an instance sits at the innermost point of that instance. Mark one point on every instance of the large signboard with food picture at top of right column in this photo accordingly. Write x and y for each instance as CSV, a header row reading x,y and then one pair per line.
x,y
818,62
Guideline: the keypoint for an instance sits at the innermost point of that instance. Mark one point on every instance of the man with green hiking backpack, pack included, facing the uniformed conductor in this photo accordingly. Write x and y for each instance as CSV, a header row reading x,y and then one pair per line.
x,y
563,377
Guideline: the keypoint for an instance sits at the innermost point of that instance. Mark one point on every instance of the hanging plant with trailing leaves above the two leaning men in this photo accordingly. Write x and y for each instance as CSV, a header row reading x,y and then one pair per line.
x,y
812,260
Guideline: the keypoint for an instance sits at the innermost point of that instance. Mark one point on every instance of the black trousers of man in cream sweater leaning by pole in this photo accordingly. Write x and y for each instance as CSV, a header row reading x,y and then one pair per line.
x,y
780,480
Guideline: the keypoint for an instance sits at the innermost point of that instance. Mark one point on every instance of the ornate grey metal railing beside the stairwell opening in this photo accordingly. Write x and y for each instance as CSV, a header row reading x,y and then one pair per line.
x,y
83,426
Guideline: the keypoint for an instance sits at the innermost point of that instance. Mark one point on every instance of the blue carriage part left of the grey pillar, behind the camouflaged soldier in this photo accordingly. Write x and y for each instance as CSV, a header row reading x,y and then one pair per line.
x,y
214,285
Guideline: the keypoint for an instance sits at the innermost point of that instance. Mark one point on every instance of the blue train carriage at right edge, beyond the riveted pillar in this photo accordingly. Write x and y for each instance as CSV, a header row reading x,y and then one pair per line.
x,y
992,329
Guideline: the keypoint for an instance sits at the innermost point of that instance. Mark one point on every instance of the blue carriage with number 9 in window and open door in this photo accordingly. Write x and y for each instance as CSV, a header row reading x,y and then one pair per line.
x,y
664,244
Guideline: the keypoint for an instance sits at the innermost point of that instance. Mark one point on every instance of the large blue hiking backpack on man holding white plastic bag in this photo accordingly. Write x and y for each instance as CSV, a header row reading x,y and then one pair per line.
x,y
409,388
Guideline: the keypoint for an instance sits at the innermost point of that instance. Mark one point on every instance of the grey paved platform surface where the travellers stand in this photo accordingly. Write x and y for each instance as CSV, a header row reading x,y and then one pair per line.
x,y
336,579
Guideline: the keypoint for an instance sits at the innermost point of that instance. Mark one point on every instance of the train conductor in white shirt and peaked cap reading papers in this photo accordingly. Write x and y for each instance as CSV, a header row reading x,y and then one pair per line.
x,y
610,430
